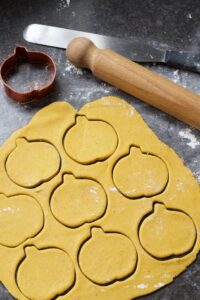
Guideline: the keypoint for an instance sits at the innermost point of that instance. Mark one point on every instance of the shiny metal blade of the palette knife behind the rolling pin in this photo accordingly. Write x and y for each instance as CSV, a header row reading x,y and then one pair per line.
x,y
136,49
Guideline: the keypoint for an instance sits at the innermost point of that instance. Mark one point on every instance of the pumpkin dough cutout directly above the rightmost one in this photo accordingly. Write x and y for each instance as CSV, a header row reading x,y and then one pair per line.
x,y
138,174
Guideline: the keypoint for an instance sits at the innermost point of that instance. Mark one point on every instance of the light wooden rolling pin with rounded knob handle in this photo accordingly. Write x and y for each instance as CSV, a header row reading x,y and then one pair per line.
x,y
136,80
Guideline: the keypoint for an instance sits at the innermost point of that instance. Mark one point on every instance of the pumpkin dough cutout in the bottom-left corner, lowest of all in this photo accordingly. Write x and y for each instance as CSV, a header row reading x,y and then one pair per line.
x,y
45,274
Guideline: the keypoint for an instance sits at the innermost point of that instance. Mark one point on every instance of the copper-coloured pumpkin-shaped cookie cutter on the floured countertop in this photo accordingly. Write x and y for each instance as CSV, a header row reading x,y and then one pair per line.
x,y
21,54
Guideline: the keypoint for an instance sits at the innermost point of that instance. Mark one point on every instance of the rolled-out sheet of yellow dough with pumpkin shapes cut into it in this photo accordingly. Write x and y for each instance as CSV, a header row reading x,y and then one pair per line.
x,y
104,245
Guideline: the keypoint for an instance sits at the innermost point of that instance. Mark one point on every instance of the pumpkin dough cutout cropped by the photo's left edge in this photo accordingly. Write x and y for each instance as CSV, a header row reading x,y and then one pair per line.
x,y
21,217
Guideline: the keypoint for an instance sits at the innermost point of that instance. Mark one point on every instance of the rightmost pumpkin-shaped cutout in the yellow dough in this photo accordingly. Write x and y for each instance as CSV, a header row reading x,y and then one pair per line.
x,y
167,233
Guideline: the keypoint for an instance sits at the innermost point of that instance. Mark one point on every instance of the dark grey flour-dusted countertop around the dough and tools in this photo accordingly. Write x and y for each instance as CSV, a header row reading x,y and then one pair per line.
x,y
171,23
